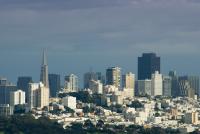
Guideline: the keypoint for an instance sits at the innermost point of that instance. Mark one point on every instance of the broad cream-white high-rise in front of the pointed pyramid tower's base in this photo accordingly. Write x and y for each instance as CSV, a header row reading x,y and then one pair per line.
x,y
38,95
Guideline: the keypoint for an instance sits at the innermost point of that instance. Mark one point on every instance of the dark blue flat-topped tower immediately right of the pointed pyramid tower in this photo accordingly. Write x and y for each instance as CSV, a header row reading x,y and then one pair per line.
x,y
54,84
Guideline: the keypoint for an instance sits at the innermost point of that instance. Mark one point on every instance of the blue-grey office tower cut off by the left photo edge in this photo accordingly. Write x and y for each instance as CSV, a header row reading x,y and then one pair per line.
x,y
5,89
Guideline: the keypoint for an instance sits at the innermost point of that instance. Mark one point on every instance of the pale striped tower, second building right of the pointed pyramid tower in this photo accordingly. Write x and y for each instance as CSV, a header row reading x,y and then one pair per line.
x,y
71,83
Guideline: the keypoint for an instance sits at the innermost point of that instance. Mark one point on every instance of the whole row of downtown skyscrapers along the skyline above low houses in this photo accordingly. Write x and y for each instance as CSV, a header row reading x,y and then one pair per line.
x,y
150,82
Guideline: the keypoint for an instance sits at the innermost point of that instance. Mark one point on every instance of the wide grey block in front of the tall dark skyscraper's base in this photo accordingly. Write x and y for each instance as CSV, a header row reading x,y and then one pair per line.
x,y
144,87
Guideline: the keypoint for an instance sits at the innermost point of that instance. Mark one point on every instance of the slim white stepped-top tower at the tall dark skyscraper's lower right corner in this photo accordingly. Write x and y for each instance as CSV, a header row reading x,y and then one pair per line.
x,y
157,84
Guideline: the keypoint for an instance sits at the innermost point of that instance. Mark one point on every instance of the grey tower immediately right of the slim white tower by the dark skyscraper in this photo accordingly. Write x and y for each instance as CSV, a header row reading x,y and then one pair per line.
x,y
167,85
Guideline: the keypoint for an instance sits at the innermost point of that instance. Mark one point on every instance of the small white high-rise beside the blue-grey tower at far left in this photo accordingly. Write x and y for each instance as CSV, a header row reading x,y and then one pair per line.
x,y
17,97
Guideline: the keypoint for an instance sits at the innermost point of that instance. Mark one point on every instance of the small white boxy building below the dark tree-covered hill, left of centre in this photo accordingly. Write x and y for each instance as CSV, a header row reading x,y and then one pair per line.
x,y
69,101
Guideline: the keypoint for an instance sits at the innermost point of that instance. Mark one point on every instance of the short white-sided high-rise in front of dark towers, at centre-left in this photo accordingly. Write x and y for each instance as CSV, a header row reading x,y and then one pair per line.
x,y
96,86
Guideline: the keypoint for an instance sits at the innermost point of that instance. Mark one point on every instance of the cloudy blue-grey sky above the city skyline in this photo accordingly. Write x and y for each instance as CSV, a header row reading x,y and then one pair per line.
x,y
84,34
